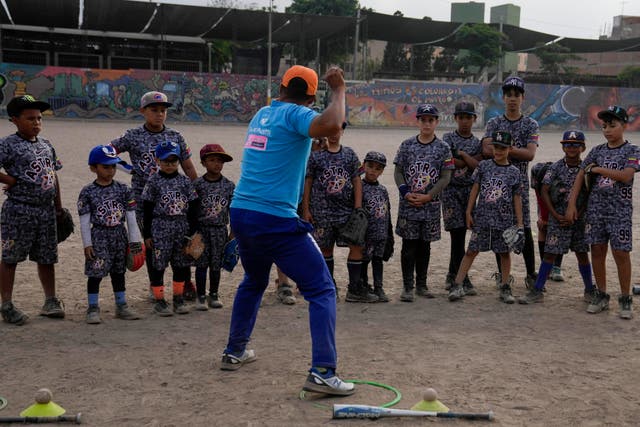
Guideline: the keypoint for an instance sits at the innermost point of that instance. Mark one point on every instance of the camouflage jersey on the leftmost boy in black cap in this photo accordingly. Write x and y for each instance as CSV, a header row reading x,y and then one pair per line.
x,y
33,164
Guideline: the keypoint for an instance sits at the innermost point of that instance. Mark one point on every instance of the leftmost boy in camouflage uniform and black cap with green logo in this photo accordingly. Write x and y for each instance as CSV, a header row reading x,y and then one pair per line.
x,y
28,223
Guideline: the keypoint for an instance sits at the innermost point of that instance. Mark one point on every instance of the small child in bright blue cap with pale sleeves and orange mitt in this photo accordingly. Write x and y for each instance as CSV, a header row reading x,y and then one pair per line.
x,y
104,206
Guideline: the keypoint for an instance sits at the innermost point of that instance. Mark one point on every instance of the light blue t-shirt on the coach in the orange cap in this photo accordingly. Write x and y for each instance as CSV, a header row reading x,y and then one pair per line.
x,y
274,160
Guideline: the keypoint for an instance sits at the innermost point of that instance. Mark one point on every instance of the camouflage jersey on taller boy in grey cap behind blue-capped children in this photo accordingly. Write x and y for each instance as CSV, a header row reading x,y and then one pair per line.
x,y
141,143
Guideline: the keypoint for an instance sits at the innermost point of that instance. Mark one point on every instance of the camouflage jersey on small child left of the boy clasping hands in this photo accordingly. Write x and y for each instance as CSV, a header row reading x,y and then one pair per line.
x,y
375,201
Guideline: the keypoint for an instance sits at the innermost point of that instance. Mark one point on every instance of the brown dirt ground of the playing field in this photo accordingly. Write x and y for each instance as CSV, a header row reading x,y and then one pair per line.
x,y
546,364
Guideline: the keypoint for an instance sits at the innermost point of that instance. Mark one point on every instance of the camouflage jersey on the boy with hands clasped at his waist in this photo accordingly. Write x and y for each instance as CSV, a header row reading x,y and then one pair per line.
x,y
422,165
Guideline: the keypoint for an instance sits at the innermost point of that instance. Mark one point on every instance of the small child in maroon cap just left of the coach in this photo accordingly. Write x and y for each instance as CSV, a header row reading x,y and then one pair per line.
x,y
215,193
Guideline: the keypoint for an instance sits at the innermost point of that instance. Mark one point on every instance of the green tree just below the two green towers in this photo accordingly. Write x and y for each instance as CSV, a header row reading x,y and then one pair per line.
x,y
483,44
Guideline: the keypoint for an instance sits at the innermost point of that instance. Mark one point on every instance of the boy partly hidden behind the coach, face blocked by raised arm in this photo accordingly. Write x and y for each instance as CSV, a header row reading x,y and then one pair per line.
x,y
332,190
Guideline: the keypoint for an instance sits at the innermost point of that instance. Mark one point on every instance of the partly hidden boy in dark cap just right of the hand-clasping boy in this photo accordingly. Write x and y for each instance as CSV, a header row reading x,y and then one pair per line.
x,y
467,151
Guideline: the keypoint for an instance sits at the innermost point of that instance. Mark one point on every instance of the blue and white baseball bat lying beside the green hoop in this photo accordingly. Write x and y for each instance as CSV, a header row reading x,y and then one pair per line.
x,y
374,412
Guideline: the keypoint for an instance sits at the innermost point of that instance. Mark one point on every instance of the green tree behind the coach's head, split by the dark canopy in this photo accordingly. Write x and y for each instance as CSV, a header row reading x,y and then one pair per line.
x,y
336,48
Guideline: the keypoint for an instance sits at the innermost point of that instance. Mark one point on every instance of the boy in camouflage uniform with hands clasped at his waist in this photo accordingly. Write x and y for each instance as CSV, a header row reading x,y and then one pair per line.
x,y
423,167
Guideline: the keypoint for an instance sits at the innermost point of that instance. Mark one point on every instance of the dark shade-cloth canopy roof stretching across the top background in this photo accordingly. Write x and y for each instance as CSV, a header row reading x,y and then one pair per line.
x,y
198,24
